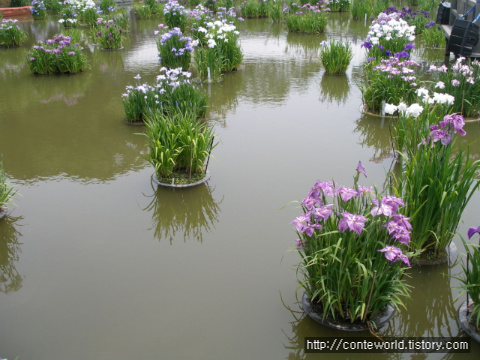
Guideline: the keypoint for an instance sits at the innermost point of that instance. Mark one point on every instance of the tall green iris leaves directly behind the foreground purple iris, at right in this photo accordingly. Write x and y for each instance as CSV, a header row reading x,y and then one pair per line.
x,y
436,183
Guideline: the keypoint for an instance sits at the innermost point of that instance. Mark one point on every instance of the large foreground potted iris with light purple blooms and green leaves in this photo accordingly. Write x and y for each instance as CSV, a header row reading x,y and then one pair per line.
x,y
352,245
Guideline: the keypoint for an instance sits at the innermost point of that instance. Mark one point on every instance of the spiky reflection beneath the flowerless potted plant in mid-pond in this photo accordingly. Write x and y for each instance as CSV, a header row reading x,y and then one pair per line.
x,y
191,212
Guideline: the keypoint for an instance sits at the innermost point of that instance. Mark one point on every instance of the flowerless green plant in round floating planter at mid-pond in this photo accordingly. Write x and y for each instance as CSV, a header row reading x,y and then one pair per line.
x,y
179,149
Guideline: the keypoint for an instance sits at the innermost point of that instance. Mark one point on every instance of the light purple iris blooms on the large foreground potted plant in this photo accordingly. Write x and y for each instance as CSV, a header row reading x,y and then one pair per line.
x,y
317,212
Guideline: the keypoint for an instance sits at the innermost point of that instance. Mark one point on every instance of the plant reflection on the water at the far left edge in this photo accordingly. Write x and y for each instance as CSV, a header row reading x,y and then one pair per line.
x,y
10,249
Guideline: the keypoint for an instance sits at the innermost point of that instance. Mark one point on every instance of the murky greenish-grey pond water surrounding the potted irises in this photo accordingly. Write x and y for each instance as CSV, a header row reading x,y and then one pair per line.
x,y
98,264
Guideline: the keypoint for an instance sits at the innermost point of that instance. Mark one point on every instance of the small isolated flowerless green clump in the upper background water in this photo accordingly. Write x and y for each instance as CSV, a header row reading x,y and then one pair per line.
x,y
336,56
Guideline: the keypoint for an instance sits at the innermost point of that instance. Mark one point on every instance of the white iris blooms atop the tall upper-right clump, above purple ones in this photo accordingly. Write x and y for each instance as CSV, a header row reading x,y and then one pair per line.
x,y
390,27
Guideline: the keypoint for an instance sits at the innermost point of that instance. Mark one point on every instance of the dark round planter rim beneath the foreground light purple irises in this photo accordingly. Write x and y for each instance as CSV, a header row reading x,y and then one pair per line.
x,y
380,319
